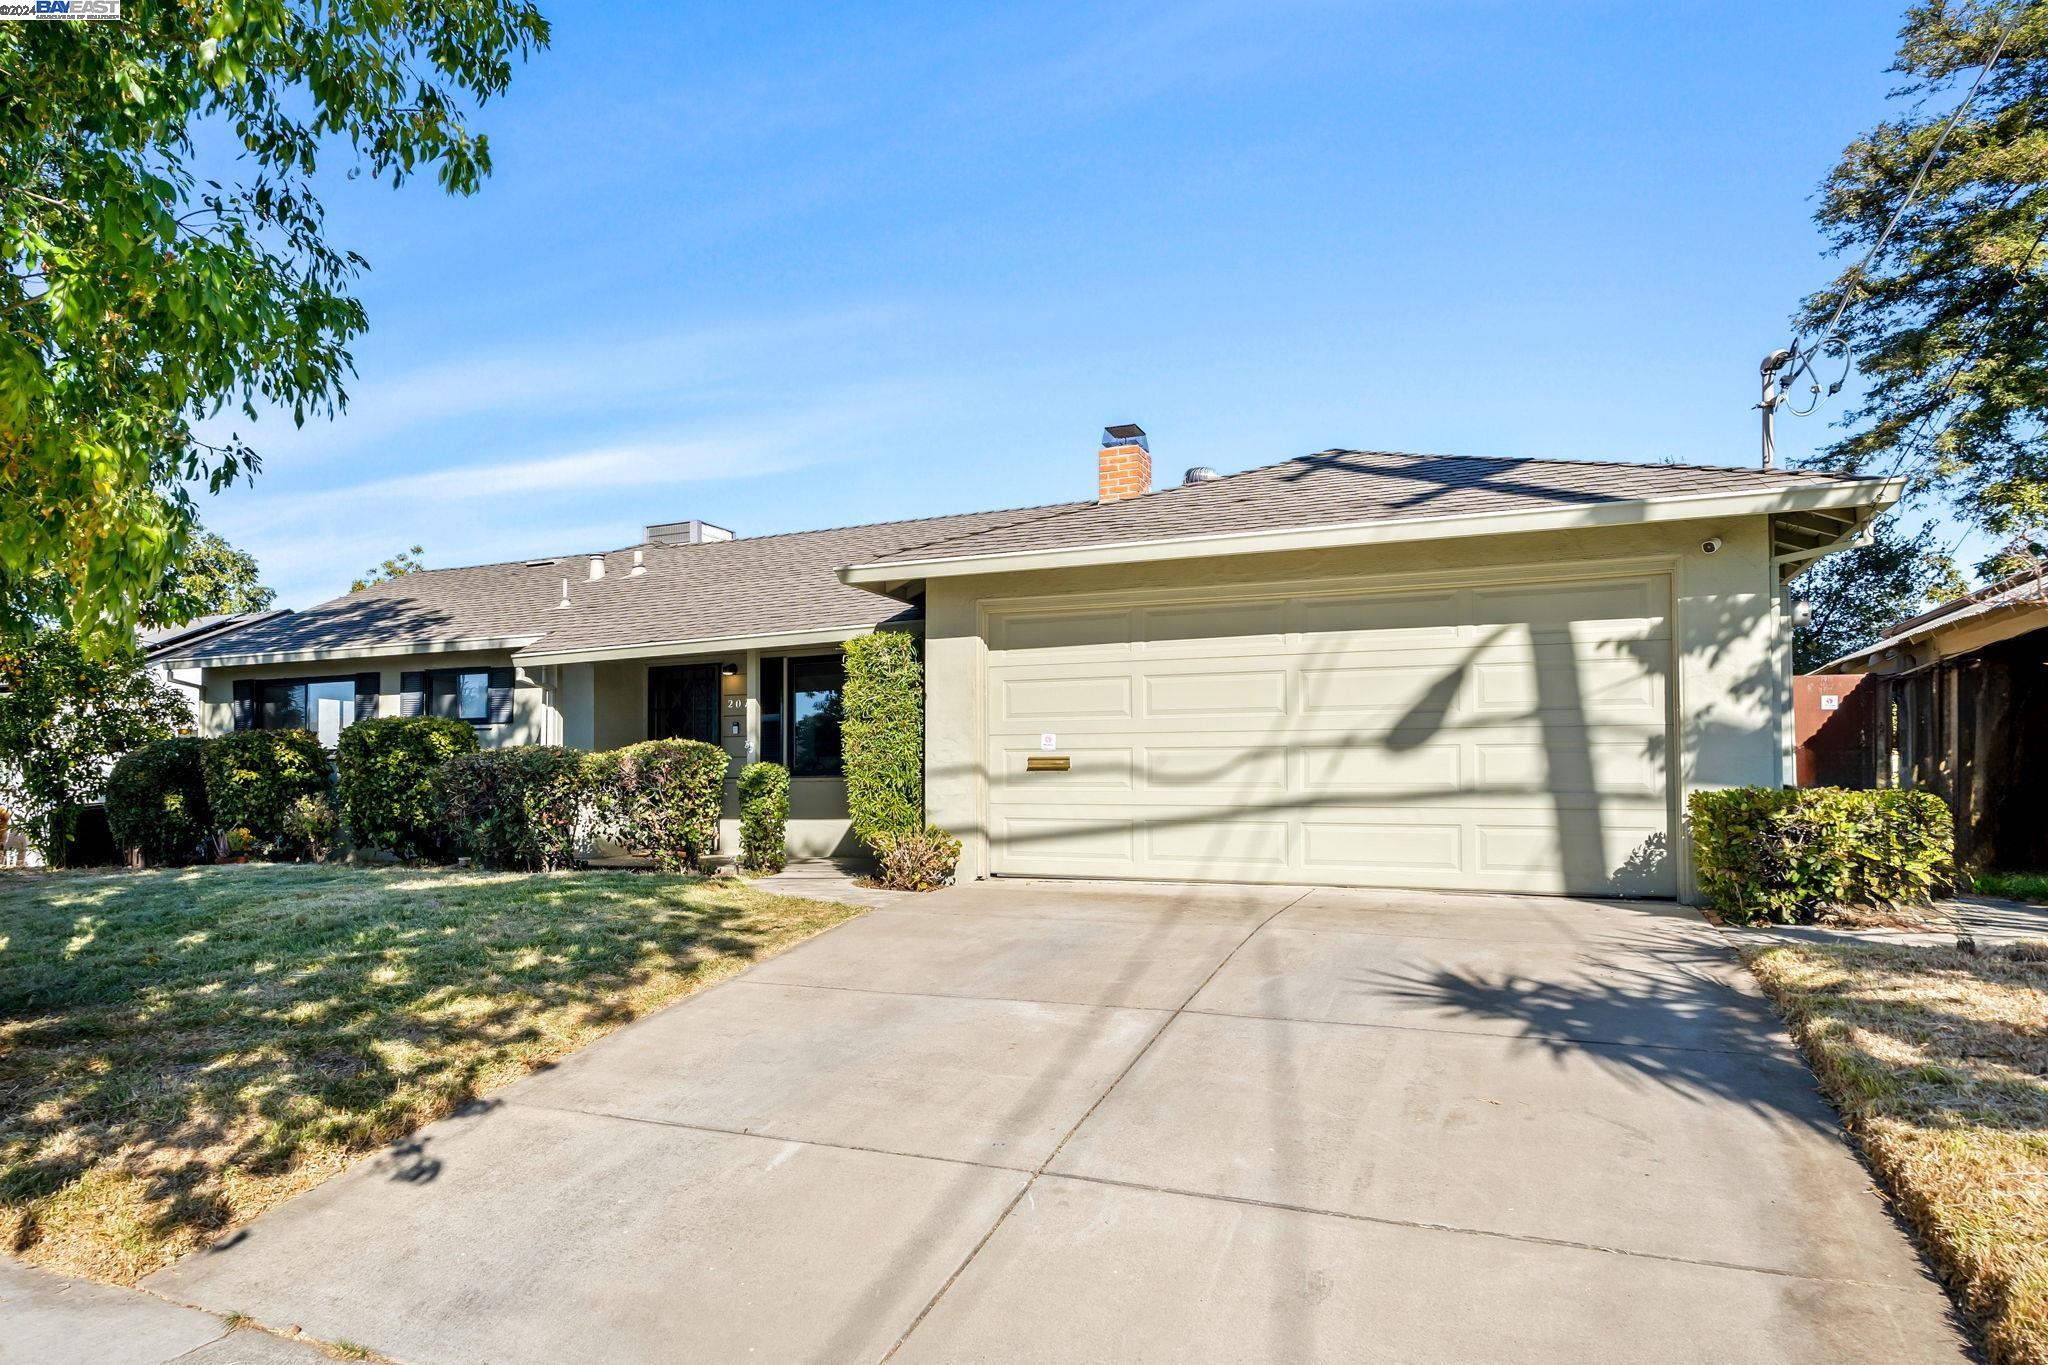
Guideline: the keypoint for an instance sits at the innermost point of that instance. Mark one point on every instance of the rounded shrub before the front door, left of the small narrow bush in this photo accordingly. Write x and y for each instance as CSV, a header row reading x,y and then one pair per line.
x,y
663,799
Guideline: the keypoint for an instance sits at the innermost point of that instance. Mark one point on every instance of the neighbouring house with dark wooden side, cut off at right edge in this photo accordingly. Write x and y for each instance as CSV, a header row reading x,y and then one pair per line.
x,y
1961,705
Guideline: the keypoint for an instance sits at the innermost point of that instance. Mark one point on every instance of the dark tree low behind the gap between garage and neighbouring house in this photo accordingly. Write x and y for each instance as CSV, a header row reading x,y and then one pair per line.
x,y
1857,595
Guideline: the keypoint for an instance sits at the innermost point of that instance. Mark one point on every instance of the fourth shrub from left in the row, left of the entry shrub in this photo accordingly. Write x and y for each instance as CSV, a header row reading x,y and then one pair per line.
x,y
523,807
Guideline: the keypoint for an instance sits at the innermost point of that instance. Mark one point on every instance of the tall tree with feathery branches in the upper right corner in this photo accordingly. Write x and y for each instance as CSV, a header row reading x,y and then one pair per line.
x,y
1947,322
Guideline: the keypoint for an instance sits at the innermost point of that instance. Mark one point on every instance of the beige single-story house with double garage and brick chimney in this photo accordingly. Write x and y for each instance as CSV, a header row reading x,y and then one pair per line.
x,y
1349,668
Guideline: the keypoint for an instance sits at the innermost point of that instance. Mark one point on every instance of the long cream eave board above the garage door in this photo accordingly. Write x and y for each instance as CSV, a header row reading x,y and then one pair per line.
x,y
884,576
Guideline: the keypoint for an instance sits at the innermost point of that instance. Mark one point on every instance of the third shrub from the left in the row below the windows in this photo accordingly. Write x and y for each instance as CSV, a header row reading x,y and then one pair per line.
x,y
388,783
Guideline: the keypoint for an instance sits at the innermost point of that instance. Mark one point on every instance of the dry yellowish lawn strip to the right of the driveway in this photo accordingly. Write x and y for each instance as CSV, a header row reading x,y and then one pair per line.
x,y
1938,1063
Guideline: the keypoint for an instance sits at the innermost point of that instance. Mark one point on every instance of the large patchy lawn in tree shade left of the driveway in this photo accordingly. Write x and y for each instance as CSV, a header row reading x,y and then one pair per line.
x,y
181,1051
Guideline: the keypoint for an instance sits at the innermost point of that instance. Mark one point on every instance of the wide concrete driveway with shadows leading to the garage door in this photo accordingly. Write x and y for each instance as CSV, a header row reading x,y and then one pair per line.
x,y
1095,1122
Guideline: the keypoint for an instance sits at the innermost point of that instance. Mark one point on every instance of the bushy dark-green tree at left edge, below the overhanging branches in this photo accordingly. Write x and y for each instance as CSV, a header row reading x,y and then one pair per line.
x,y
65,719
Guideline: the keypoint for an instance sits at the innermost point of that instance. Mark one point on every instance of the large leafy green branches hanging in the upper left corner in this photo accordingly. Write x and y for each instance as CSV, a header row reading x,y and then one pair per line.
x,y
146,288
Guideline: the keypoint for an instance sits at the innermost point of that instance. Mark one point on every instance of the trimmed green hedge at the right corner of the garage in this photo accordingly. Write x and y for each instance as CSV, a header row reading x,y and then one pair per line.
x,y
1766,854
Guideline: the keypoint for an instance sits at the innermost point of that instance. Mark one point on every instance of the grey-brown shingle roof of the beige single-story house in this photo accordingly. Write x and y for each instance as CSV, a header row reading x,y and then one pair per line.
x,y
773,588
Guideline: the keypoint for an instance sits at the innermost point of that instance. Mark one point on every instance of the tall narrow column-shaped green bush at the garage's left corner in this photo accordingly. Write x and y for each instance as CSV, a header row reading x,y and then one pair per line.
x,y
884,736
